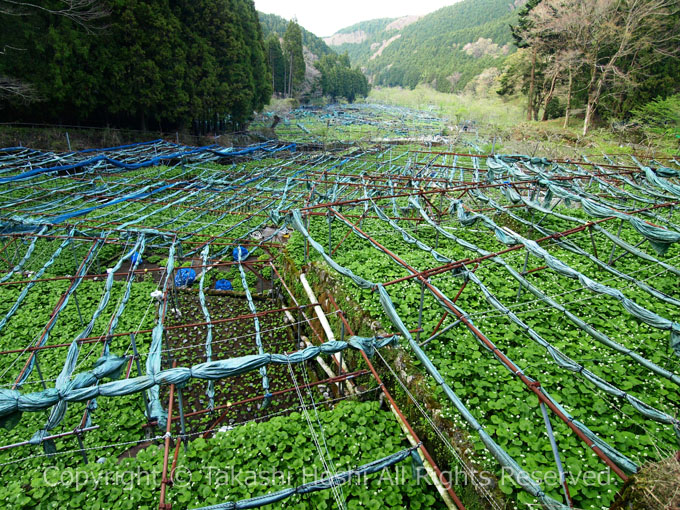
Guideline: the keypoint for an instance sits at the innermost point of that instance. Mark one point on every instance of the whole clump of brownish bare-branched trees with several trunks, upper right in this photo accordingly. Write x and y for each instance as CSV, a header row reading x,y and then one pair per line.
x,y
610,56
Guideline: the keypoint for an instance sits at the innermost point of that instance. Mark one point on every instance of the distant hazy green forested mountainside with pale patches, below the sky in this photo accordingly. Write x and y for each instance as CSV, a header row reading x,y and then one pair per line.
x,y
446,48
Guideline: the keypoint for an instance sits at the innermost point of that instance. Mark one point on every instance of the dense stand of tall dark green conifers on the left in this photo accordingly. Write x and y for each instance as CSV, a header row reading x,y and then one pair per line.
x,y
160,64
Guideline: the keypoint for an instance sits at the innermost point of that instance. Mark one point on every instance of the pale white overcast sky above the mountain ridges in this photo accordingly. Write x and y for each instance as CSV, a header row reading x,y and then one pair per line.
x,y
324,17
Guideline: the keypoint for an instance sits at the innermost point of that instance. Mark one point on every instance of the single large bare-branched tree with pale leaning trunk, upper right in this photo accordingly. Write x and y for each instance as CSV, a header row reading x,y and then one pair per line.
x,y
607,39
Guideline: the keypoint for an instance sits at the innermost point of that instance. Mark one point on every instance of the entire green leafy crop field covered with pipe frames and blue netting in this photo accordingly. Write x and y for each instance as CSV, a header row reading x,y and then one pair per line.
x,y
196,313
